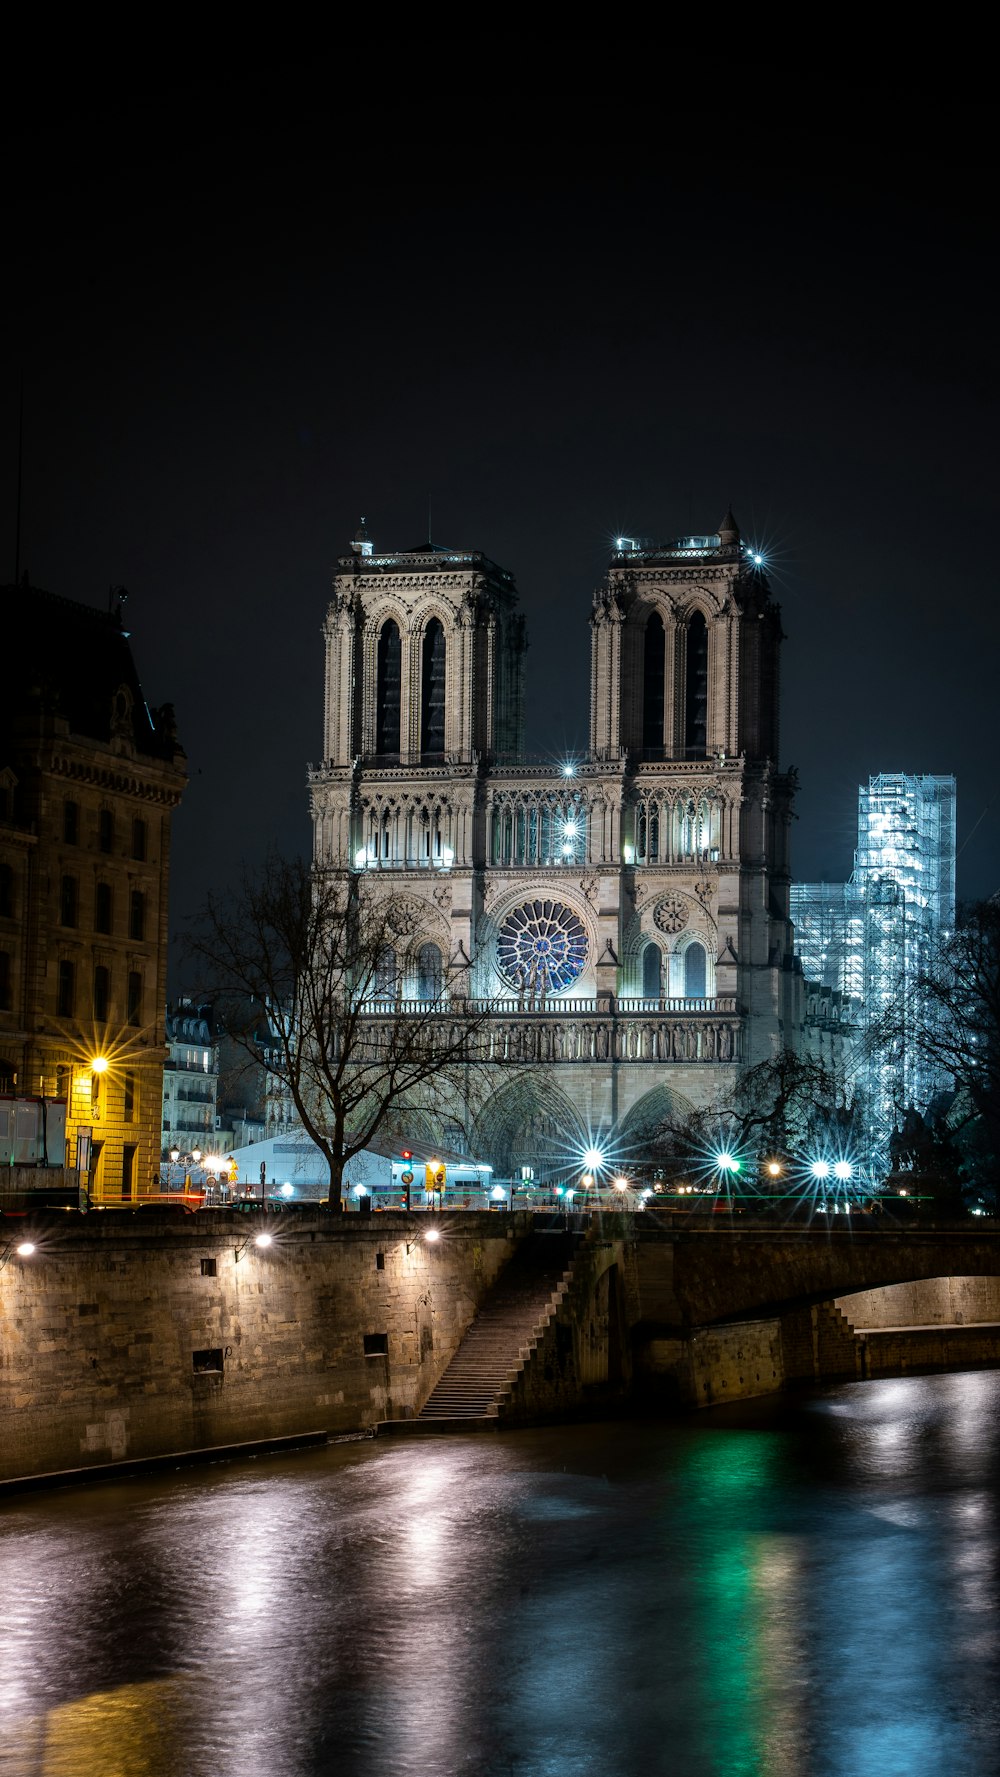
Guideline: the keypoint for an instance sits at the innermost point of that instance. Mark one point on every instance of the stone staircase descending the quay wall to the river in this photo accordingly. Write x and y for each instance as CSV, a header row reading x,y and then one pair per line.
x,y
504,1335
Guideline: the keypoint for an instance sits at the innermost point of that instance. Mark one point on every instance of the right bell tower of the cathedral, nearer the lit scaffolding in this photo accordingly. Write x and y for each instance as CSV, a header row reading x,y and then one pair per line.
x,y
685,705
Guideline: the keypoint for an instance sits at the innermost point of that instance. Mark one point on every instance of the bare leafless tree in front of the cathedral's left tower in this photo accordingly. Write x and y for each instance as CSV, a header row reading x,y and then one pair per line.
x,y
324,955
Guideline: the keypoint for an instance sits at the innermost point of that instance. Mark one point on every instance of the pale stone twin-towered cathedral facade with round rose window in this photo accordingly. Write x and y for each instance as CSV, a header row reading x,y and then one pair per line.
x,y
617,921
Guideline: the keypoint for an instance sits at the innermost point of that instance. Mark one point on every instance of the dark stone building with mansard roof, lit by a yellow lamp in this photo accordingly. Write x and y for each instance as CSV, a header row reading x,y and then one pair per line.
x,y
90,779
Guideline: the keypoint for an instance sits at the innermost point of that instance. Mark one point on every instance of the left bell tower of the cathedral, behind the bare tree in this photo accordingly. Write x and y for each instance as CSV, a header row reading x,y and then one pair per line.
x,y
424,692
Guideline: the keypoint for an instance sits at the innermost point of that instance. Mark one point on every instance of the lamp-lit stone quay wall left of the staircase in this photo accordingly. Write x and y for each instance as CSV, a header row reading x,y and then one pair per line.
x,y
138,1334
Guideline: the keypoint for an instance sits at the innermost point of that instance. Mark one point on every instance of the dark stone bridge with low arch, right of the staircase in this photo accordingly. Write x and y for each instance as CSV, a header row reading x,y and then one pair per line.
x,y
722,1314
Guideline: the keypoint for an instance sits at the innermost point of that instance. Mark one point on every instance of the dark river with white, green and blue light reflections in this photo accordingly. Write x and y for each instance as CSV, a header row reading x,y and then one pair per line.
x,y
786,1590
